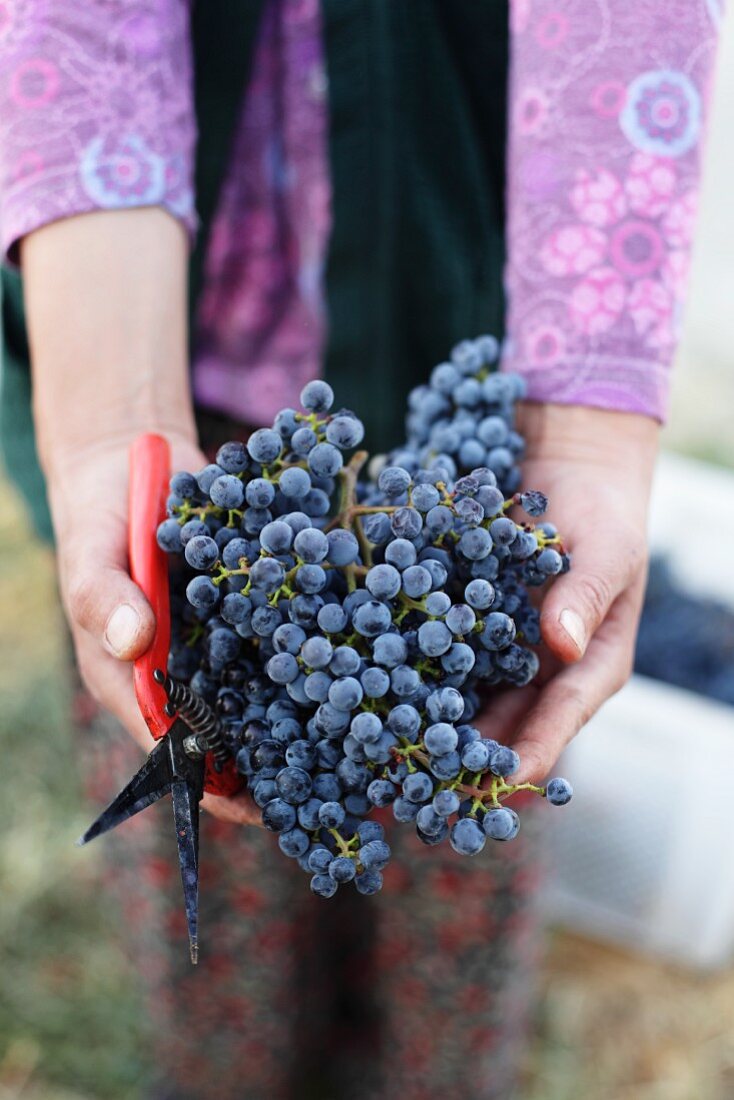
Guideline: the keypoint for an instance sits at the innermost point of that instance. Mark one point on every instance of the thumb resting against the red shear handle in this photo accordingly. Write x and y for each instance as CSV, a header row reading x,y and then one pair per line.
x,y
100,596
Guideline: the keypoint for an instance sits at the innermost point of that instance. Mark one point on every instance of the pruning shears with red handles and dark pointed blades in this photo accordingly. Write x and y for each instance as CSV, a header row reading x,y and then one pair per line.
x,y
191,756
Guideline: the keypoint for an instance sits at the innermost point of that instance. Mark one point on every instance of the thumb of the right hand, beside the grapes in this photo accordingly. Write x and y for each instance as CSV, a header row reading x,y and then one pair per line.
x,y
578,603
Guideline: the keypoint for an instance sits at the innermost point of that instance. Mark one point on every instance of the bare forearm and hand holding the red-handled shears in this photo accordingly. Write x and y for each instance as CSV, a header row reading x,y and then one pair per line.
x,y
106,301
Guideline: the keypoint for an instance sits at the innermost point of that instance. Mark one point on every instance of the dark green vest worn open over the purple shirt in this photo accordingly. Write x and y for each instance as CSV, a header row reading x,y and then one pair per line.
x,y
418,103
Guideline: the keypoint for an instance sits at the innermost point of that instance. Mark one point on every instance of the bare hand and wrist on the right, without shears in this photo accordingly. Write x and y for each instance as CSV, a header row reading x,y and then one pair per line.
x,y
597,469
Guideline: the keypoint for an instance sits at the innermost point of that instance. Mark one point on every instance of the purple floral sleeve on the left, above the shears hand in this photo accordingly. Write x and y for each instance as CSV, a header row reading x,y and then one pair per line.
x,y
95,109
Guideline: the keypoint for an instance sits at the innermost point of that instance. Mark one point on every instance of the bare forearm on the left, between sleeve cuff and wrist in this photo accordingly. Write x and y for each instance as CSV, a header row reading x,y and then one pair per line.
x,y
106,301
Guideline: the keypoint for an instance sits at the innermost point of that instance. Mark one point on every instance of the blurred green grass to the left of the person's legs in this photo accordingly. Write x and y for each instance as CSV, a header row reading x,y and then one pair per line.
x,y
68,1005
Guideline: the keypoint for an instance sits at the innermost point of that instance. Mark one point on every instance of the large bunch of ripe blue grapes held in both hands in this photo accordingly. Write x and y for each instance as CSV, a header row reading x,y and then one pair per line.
x,y
347,630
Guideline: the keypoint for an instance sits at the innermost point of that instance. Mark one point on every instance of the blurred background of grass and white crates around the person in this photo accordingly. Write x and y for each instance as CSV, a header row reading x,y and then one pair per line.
x,y
639,984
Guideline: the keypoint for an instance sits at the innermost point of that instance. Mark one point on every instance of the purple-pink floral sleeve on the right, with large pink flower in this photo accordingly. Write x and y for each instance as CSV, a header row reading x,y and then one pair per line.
x,y
608,106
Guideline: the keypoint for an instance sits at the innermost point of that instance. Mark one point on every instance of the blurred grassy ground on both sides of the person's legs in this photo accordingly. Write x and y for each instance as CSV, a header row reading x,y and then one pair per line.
x,y
611,1027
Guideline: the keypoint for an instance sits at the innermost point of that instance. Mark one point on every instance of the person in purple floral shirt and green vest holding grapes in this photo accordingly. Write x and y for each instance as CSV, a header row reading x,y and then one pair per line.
x,y
212,207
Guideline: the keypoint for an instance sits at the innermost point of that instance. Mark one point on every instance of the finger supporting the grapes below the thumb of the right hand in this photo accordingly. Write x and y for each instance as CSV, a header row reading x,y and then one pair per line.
x,y
572,698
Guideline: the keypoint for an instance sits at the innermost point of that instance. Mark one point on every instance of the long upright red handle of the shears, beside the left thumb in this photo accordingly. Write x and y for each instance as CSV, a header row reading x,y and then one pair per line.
x,y
150,470
